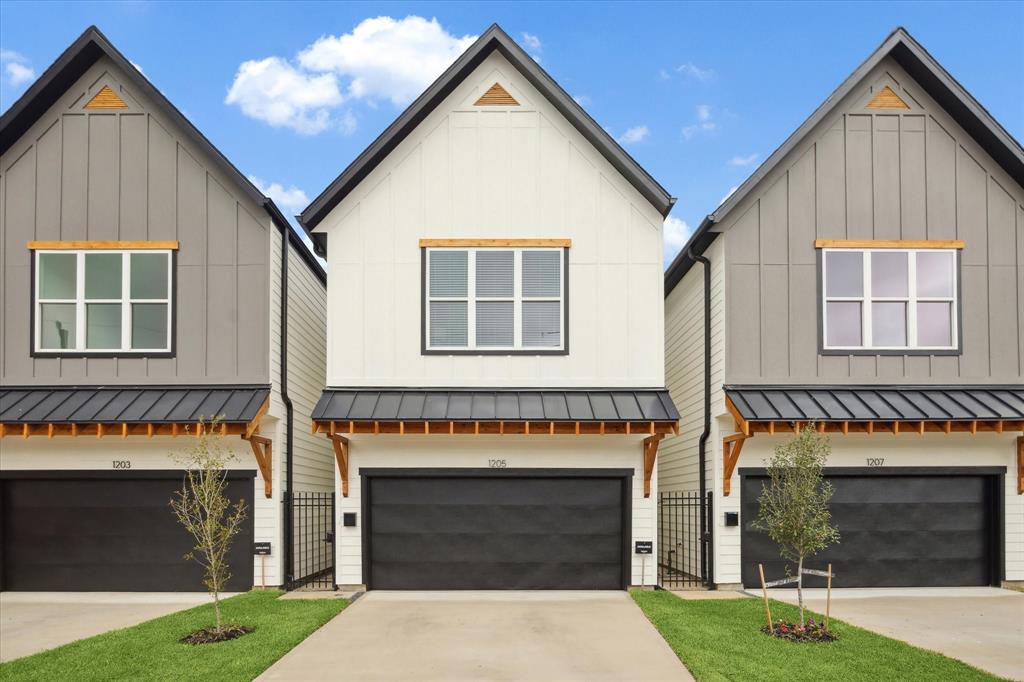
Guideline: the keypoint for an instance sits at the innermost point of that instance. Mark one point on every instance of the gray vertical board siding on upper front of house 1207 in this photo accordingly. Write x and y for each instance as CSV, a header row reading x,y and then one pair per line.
x,y
878,175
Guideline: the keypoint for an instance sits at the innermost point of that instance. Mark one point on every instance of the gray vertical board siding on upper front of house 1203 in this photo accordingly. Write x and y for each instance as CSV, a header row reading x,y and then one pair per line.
x,y
129,175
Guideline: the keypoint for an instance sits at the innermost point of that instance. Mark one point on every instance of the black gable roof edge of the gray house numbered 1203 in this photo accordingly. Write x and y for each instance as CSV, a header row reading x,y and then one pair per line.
x,y
73,63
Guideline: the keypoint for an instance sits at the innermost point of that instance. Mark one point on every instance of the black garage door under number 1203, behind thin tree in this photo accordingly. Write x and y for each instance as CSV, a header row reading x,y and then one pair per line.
x,y
89,534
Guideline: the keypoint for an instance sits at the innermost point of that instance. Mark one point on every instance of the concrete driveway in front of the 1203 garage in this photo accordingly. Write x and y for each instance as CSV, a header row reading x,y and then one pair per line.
x,y
32,622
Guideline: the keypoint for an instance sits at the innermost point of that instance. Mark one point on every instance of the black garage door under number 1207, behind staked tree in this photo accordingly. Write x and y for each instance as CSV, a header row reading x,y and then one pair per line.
x,y
897,530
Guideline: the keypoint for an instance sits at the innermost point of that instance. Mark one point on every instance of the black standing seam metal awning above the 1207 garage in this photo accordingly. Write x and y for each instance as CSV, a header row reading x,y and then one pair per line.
x,y
866,404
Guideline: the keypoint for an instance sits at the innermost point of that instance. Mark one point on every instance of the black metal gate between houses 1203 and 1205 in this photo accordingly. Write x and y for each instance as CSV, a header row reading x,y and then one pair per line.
x,y
313,541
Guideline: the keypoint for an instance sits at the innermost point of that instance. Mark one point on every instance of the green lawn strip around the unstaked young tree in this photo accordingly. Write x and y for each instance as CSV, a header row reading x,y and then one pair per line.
x,y
152,651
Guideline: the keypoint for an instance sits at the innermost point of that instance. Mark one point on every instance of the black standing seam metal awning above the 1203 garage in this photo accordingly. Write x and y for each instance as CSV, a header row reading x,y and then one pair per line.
x,y
132,405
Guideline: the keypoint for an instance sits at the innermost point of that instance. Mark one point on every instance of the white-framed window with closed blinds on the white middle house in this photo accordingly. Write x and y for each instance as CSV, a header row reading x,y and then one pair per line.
x,y
494,300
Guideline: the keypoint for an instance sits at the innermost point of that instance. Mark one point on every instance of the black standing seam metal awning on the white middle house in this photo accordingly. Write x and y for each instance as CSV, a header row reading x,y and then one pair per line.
x,y
480,405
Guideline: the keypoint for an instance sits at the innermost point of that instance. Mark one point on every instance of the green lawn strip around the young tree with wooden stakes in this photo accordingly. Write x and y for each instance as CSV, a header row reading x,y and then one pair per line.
x,y
720,641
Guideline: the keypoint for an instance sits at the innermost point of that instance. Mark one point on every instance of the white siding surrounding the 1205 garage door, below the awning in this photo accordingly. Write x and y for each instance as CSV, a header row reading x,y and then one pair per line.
x,y
474,452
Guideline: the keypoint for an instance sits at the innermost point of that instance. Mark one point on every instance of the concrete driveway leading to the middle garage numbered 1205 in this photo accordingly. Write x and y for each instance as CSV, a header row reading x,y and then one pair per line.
x,y
485,636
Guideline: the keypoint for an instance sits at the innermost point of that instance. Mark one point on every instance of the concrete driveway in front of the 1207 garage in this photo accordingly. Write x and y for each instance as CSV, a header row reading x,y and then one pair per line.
x,y
984,627
